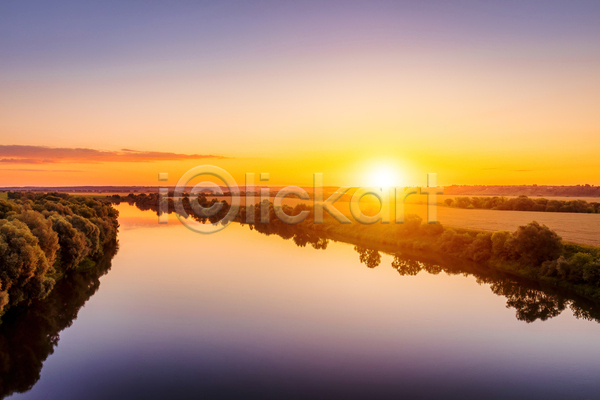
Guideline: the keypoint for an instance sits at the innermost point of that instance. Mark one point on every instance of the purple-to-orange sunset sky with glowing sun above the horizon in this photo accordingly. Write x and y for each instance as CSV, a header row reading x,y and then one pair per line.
x,y
479,92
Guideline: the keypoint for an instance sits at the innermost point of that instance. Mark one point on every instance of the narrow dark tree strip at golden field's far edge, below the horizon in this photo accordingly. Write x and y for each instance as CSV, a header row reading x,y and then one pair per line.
x,y
524,203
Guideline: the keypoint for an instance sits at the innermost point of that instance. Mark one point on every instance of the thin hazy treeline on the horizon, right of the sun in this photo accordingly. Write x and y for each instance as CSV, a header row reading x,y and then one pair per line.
x,y
586,190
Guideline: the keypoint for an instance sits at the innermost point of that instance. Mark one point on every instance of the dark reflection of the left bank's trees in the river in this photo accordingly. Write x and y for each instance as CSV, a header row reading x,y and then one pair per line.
x,y
28,335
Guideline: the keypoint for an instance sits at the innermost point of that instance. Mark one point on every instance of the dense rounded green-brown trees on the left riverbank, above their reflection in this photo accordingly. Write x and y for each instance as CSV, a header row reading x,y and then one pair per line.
x,y
46,236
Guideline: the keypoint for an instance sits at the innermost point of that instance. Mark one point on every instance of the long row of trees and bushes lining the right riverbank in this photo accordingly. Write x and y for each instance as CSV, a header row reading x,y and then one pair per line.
x,y
534,251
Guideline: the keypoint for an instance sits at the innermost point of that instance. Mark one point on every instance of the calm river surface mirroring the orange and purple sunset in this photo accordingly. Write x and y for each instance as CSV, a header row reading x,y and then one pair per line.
x,y
239,314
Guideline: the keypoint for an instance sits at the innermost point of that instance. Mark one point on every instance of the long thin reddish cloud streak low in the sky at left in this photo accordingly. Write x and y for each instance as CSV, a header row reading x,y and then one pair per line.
x,y
16,154
